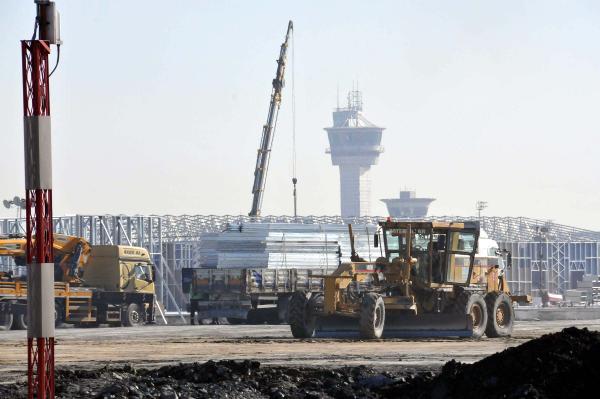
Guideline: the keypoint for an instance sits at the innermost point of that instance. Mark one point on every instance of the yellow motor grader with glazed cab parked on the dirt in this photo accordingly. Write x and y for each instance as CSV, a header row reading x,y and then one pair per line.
x,y
422,285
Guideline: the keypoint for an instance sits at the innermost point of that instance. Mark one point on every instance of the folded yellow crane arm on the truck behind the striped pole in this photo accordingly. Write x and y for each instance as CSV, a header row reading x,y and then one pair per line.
x,y
70,253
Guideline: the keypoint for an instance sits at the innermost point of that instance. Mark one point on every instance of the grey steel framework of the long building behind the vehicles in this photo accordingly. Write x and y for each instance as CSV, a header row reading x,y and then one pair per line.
x,y
544,252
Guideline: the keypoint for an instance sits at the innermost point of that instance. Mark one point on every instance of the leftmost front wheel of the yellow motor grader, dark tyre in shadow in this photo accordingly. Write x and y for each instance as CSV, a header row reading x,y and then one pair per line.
x,y
302,313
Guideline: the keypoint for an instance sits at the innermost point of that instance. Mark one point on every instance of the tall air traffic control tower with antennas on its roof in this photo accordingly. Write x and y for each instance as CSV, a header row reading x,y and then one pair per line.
x,y
354,146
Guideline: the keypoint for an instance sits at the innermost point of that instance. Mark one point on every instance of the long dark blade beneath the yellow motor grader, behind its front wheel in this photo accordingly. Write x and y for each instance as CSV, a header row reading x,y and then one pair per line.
x,y
399,326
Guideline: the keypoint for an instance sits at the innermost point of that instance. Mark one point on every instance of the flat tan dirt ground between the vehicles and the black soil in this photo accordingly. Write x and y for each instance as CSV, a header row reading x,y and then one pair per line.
x,y
151,346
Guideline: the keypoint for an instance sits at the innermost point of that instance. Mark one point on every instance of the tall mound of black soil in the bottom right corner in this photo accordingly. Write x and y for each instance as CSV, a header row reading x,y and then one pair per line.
x,y
559,365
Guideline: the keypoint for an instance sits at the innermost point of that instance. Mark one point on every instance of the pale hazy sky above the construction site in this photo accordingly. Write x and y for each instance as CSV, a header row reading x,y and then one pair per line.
x,y
157,107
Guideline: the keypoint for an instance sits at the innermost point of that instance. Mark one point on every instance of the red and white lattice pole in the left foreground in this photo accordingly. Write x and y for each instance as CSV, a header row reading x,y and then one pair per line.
x,y
38,188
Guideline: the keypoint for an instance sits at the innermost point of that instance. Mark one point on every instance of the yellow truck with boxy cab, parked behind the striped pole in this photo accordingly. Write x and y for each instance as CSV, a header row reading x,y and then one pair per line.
x,y
113,284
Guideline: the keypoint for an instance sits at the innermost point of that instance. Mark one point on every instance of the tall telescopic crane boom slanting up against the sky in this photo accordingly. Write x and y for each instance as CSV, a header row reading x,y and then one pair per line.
x,y
264,152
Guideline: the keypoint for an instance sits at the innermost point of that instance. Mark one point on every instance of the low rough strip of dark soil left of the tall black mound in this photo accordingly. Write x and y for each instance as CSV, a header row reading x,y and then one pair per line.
x,y
223,379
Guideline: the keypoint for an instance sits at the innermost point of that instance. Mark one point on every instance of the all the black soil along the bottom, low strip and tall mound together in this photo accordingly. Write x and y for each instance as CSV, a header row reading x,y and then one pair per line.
x,y
560,365
